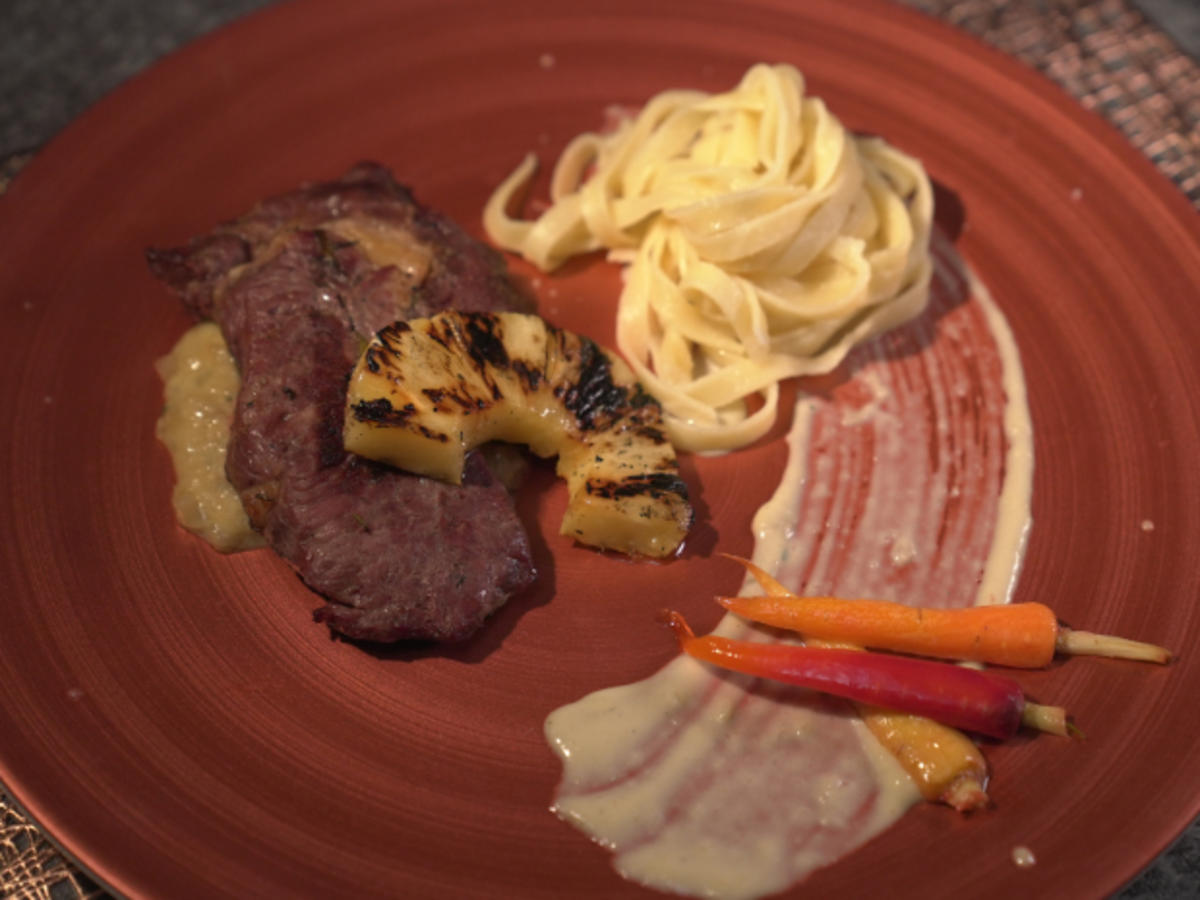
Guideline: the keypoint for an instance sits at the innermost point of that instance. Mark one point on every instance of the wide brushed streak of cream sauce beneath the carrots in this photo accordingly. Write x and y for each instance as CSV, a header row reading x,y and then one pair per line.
x,y
908,479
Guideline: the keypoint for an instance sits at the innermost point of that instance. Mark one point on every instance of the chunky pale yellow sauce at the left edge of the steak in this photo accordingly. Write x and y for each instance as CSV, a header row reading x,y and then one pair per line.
x,y
200,389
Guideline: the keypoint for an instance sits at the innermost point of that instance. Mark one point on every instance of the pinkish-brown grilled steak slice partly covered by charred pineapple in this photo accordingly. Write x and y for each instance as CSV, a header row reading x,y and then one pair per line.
x,y
297,286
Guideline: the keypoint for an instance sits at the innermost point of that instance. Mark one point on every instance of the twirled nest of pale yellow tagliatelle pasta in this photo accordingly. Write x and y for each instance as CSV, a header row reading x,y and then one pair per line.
x,y
763,242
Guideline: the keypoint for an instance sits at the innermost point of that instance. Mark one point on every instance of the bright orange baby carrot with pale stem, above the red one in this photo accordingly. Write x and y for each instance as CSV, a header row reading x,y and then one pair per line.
x,y
1019,635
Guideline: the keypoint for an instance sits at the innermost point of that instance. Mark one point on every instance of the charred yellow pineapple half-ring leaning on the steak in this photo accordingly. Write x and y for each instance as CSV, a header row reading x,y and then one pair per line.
x,y
427,392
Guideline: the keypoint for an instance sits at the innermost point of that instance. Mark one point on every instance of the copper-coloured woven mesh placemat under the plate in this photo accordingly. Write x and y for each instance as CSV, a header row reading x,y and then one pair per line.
x,y
1107,55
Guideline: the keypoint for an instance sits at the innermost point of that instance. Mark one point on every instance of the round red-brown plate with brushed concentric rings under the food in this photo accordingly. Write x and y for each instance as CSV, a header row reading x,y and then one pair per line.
x,y
177,721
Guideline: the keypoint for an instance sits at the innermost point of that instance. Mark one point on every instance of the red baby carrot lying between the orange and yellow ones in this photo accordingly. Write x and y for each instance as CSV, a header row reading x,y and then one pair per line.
x,y
981,703
